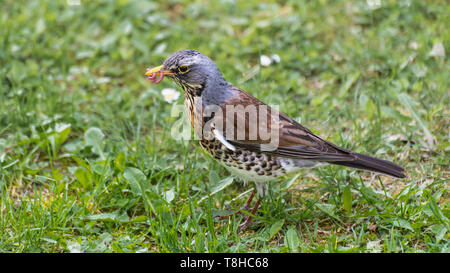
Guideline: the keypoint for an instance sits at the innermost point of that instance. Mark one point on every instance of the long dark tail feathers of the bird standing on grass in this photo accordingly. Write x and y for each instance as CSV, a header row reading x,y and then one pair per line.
x,y
365,162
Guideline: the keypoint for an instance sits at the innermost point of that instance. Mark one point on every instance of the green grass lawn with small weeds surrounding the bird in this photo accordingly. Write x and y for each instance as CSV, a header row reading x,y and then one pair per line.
x,y
87,161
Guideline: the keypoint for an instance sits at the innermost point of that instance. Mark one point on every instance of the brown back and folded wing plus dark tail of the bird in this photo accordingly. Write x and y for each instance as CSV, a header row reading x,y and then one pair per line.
x,y
294,140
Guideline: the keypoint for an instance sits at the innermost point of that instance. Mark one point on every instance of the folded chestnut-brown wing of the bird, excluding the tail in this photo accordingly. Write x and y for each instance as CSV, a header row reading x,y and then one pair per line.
x,y
294,140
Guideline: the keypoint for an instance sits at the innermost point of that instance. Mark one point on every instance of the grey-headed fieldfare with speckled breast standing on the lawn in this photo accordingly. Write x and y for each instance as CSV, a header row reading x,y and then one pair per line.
x,y
254,141
